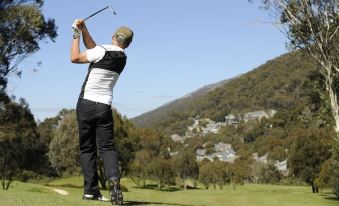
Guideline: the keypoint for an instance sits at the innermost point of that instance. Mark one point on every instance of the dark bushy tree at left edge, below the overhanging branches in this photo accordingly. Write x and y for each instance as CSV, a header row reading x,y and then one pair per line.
x,y
21,147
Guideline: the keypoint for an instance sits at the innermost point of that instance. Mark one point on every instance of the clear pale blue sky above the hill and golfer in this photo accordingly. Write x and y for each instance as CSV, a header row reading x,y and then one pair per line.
x,y
178,47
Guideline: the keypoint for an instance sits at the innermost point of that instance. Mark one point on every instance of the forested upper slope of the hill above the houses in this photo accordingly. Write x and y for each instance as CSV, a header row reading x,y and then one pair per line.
x,y
277,84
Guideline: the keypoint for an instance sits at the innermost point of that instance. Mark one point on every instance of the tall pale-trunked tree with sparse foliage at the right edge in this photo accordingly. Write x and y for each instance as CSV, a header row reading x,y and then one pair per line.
x,y
313,26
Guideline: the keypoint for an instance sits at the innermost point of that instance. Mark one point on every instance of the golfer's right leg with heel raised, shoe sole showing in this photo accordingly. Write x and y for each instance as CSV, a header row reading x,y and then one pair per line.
x,y
105,142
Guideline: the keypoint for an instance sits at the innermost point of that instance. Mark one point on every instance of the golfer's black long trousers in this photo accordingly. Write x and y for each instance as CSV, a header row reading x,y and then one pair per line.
x,y
95,123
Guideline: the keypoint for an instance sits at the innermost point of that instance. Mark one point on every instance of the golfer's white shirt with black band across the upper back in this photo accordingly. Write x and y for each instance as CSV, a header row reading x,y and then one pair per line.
x,y
107,62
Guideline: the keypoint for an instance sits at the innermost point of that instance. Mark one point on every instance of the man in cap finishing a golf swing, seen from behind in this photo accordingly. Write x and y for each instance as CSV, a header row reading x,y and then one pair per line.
x,y
94,112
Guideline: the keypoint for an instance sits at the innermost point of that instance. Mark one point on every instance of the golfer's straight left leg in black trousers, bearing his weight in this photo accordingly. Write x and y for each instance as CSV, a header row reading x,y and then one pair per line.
x,y
88,150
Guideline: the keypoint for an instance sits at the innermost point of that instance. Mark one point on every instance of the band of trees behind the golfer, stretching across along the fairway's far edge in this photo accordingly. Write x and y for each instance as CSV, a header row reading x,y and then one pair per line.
x,y
148,155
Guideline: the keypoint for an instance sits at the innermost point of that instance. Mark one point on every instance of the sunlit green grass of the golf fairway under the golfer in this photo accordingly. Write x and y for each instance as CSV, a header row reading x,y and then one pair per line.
x,y
22,194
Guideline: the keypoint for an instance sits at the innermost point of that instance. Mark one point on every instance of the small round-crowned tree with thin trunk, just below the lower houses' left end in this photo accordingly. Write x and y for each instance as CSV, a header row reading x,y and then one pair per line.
x,y
186,166
